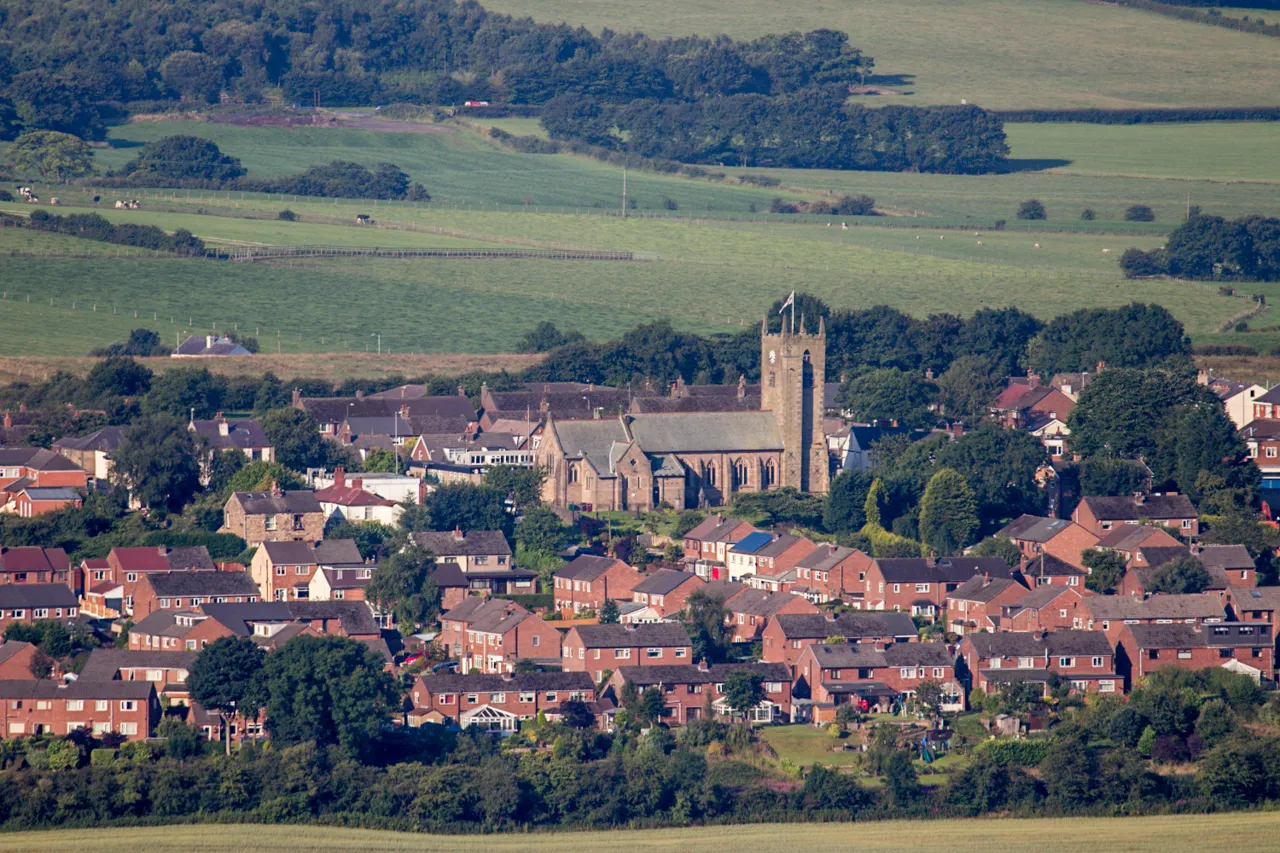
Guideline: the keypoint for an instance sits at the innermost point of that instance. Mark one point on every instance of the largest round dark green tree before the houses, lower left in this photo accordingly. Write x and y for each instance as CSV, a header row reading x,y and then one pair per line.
x,y
330,691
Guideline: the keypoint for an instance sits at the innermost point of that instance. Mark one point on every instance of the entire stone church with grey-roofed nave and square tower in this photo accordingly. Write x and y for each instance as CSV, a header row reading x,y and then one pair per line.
x,y
692,459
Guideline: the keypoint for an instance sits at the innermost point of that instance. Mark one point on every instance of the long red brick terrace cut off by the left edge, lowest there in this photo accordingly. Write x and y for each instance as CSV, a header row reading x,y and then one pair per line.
x,y
35,708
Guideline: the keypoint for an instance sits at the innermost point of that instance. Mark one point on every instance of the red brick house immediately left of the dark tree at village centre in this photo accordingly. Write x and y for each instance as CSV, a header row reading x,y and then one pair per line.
x,y
600,649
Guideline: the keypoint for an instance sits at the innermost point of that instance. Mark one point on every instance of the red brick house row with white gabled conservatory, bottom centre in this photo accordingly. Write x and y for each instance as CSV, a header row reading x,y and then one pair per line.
x,y
496,703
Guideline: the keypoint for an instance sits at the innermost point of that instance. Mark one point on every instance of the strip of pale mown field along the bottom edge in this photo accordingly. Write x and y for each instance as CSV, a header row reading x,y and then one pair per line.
x,y
1205,834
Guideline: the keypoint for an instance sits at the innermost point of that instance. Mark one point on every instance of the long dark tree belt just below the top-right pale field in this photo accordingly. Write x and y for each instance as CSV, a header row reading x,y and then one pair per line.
x,y
813,129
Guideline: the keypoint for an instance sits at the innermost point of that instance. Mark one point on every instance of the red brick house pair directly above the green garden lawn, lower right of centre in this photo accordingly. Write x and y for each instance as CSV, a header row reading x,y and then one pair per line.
x,y
836,674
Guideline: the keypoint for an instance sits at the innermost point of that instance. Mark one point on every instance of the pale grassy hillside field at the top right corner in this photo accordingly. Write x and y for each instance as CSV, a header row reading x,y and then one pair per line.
x,y
1000,54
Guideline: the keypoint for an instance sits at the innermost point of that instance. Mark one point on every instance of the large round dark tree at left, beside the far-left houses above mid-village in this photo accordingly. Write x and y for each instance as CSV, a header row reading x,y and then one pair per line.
x,y
157,463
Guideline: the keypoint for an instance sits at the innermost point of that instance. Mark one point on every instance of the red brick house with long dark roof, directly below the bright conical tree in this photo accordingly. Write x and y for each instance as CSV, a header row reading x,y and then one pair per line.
x,y
921,586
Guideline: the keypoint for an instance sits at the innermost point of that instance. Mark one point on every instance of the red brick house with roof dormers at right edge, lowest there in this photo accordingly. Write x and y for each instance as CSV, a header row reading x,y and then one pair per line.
x,y
1242,647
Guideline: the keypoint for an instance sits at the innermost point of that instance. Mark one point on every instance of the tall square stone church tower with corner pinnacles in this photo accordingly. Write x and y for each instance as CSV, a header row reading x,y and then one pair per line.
x,y
793,372
